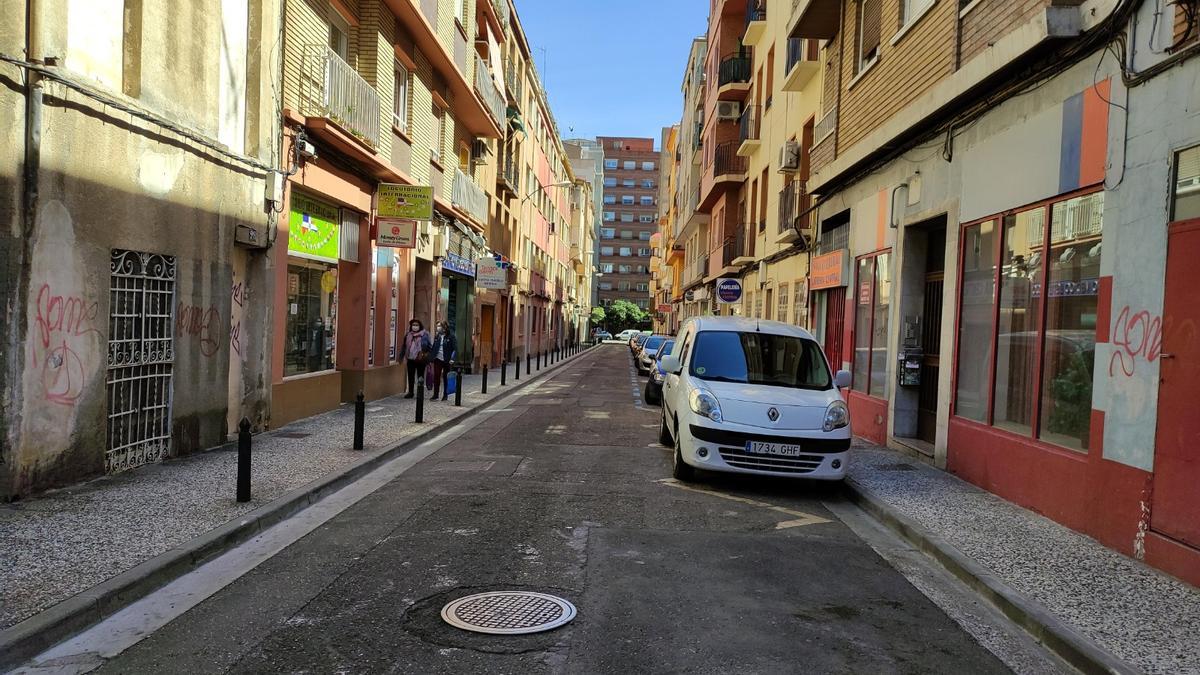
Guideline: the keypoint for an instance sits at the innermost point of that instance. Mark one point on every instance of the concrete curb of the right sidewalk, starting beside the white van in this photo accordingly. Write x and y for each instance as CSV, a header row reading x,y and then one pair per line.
x,y
1048,630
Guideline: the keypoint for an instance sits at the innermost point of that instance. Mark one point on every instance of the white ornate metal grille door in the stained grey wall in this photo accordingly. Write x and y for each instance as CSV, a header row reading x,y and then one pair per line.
x,y
141,357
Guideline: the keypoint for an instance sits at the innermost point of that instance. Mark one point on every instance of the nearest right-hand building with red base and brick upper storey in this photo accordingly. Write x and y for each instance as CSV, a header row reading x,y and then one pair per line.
x,y
999,189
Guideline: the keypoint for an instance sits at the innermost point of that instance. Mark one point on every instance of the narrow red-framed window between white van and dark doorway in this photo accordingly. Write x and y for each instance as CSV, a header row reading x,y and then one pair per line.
x,y
873,300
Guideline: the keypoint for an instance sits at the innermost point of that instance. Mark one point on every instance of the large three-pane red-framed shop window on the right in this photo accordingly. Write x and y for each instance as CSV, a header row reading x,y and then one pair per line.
x,y
1047,265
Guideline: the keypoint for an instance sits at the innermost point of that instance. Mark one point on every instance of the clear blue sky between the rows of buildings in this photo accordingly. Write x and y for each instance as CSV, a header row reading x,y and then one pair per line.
x,y
596,49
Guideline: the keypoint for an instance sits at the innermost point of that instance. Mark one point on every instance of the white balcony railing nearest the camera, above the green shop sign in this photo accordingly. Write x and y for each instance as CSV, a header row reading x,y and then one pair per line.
x,y
329,88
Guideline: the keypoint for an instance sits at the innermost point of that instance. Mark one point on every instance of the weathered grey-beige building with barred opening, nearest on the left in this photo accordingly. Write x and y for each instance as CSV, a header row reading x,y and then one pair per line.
x,y
134,222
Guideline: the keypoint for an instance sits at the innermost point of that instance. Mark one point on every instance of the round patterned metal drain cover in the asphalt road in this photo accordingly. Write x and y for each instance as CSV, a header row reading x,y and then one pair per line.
x,y
508,613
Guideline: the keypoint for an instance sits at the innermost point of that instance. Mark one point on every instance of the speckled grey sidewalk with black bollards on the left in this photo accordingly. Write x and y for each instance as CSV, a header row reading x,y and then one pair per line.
x,y
68,541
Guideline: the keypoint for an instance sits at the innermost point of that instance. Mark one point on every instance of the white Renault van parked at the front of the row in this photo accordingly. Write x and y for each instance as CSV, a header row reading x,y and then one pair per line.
x,y
753,397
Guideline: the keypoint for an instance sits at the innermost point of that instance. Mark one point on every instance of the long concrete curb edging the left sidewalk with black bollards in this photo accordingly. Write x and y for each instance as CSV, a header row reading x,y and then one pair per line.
x,y
32,637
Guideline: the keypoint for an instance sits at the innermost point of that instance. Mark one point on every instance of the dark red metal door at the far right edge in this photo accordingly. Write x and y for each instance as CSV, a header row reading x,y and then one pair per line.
x,y
1175,510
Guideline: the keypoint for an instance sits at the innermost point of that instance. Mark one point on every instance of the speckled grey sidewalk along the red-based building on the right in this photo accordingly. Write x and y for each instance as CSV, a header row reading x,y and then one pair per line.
x,y
1137,614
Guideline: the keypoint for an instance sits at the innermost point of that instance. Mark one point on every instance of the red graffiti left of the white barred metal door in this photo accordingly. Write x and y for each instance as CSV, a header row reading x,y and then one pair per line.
x,y
62,324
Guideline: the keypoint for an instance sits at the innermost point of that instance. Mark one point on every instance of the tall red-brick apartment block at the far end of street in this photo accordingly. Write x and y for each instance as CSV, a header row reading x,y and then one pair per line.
x,y
629,219
